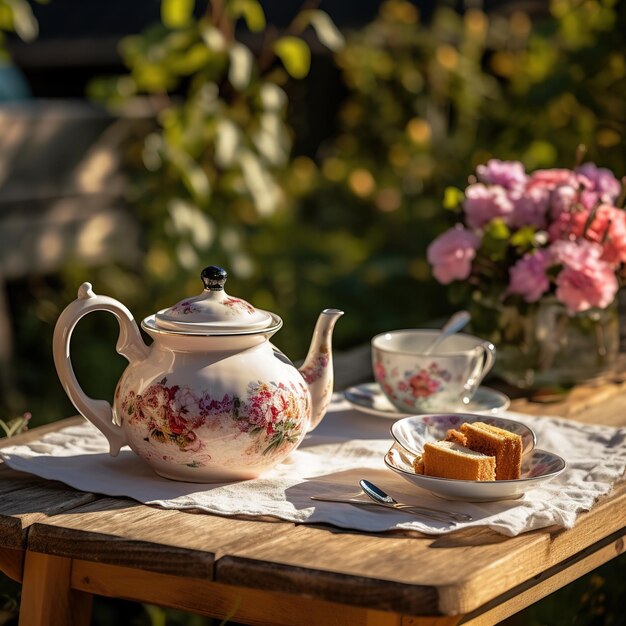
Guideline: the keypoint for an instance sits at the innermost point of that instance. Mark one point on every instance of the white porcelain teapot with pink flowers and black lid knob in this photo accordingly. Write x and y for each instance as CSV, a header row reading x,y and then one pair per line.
x,y
210,399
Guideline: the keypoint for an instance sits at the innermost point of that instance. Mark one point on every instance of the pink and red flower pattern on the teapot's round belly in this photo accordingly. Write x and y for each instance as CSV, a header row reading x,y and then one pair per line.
x,y
272,415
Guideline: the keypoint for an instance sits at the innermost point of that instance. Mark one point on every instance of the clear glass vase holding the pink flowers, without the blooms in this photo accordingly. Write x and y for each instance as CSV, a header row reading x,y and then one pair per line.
x,y
543,345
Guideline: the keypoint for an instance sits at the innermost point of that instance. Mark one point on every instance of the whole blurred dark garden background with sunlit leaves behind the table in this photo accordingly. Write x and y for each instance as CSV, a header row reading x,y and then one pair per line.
x,y
310,148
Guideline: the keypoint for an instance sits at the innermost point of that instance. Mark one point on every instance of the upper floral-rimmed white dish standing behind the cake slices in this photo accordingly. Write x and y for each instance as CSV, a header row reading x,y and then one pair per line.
x,y
412,432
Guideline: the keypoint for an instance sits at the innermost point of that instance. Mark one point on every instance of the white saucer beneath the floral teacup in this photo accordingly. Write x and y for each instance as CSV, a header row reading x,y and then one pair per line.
x,y
369,398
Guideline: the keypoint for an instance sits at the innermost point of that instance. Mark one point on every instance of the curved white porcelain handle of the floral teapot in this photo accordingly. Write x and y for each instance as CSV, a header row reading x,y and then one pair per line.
x,y
129,344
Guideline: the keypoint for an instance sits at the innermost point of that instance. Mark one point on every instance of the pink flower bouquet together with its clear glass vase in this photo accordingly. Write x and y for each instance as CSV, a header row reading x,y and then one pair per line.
x,y
539,257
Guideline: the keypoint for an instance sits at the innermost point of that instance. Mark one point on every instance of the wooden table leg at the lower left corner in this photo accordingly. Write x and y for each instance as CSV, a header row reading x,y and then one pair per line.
x,y
47,597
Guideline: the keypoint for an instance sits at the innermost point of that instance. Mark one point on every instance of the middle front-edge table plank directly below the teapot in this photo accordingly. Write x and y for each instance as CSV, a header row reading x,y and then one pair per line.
x,y
124,532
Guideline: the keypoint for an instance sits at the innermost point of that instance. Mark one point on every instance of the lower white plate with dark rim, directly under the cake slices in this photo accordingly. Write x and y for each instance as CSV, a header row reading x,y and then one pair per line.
x,y
538,467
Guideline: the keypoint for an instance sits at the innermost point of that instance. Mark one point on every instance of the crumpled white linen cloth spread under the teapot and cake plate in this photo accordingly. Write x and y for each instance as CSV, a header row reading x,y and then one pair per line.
x,y
347,446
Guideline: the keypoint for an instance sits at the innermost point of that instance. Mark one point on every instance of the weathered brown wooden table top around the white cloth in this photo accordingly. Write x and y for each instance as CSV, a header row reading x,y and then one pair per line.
x,y
457,573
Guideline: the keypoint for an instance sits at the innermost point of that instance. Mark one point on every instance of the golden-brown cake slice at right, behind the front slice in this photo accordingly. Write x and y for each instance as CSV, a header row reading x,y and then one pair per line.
x,y
504,445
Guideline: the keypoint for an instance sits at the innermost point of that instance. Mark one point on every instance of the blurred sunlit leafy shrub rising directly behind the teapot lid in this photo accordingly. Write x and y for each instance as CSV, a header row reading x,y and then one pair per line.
x,y
214,183
